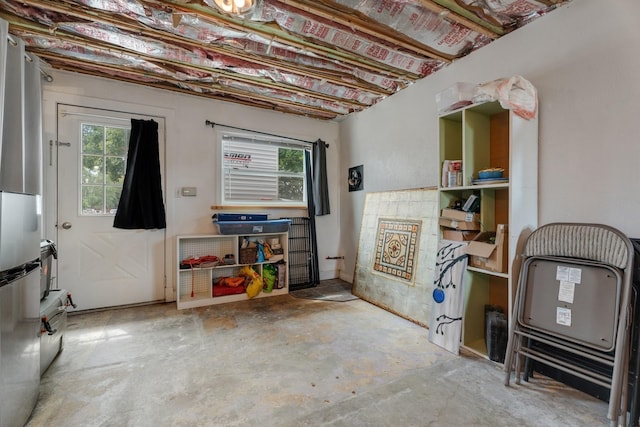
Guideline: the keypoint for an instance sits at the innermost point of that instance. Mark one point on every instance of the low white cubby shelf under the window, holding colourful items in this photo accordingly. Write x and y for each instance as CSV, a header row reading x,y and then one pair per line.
x,y
195,285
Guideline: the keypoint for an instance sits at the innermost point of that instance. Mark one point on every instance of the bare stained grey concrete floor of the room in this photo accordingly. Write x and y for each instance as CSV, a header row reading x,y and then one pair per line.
x,y
284,361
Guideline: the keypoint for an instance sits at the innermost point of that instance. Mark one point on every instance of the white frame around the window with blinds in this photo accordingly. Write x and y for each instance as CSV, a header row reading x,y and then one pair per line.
x,y
257,138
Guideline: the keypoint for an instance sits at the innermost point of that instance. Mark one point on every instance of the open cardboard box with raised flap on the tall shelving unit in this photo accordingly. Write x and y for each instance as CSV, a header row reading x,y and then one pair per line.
x,y
489,256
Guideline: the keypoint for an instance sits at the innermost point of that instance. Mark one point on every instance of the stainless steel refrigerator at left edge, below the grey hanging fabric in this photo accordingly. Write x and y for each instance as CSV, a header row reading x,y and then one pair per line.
x,y
19,307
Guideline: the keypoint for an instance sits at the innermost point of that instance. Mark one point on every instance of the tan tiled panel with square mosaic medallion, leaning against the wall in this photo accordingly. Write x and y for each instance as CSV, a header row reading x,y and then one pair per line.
x,y
397,252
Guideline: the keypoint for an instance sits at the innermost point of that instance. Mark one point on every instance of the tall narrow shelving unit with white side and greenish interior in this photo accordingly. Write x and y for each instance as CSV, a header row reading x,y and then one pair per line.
x,y
483,136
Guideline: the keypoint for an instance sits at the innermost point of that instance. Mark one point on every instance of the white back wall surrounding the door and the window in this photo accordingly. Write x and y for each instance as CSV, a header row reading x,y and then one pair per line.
x,y
191,151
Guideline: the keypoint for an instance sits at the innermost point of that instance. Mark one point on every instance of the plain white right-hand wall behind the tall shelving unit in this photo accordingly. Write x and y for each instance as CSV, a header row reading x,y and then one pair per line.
x,y
582,59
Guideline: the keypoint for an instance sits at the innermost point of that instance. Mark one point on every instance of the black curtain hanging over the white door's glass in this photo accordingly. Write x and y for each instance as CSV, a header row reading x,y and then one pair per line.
x,y
141,205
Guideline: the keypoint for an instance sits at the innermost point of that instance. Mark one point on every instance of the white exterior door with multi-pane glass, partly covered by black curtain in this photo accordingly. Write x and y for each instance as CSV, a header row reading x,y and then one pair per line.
x,y
102,266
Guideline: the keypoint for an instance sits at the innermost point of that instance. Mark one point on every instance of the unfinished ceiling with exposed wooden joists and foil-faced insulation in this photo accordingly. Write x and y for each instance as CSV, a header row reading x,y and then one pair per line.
x,y
317,58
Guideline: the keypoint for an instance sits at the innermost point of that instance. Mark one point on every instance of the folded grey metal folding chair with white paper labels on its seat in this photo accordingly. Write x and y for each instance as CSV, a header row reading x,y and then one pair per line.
x,y
574,297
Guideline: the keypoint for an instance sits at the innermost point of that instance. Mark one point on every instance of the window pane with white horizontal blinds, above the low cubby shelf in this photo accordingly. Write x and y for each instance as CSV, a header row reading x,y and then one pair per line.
x,y
262,172
